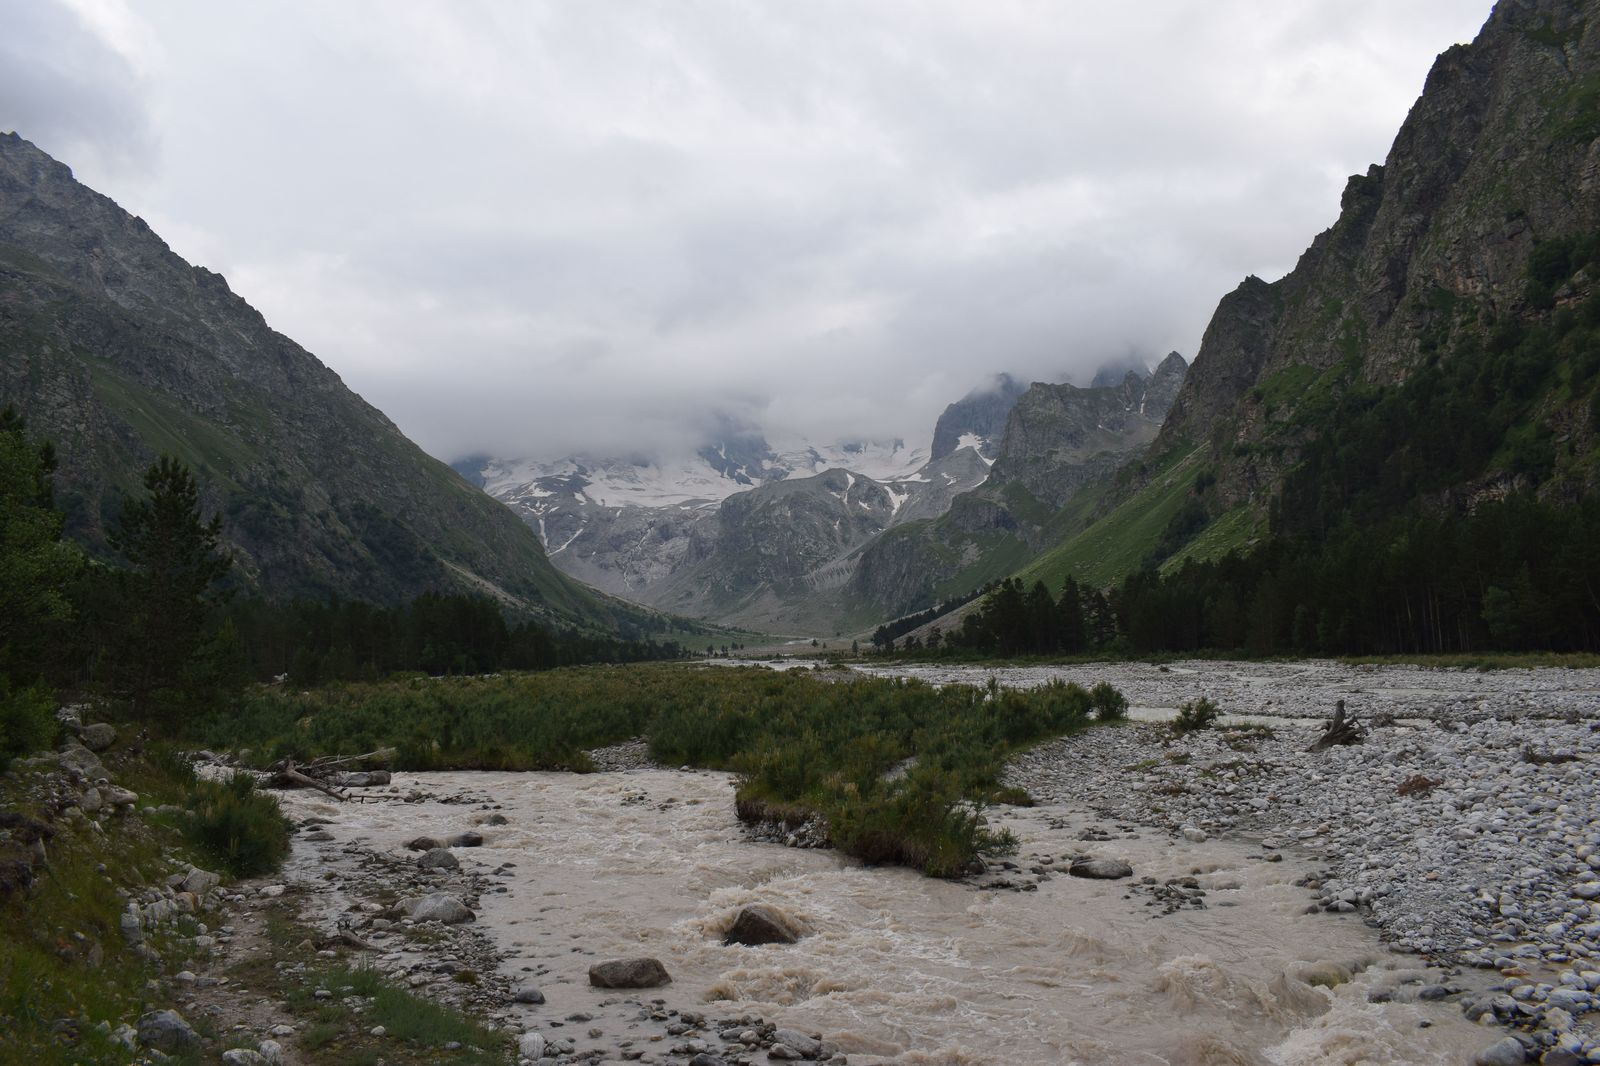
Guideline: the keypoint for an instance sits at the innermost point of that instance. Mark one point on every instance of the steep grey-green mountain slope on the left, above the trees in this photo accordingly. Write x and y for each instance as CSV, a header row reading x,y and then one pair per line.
x,y
119,351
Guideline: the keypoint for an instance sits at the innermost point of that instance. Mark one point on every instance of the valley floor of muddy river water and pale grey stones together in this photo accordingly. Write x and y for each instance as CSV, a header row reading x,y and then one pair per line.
x,y
1266,886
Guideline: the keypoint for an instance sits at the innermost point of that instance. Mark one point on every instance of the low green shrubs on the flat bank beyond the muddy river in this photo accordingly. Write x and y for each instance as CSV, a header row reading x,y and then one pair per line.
x,y
897,769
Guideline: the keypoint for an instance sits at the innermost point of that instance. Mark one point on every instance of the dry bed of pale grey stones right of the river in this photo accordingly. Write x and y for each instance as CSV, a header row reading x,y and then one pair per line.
x,y
1465,828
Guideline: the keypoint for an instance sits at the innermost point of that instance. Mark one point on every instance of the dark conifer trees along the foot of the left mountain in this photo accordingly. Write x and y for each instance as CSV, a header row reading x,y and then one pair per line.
x,y
161,628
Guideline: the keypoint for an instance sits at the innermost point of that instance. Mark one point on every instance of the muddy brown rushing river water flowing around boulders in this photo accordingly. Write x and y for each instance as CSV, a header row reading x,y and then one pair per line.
x,y
900,968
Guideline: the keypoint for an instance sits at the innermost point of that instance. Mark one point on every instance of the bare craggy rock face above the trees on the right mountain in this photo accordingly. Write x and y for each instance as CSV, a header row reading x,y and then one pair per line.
x,y
1500,154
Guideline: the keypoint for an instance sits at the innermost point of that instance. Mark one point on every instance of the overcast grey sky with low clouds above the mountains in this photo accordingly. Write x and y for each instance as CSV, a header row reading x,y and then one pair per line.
x,y
534,228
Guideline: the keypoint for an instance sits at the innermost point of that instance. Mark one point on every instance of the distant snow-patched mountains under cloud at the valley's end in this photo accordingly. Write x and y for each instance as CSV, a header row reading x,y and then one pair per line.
x,y
778,537
